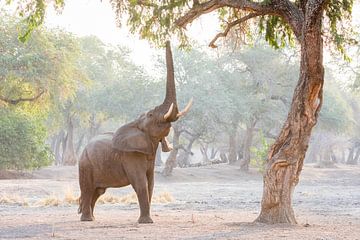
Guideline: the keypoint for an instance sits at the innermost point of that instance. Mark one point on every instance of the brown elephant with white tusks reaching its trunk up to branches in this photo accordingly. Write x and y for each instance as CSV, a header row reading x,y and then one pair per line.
x,y
128,155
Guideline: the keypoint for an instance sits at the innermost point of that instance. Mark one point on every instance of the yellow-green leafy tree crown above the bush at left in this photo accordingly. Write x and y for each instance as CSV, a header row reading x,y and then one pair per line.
x,y
43,69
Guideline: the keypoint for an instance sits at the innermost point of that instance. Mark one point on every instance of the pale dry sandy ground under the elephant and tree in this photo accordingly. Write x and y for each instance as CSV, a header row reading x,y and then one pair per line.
x,y
215,202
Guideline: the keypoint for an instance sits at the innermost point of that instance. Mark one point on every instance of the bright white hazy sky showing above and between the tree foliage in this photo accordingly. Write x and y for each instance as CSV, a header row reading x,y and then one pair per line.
x,y
95,17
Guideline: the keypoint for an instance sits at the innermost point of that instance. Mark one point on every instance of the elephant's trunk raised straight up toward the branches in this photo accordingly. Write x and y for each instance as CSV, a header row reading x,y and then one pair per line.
x,y
170,97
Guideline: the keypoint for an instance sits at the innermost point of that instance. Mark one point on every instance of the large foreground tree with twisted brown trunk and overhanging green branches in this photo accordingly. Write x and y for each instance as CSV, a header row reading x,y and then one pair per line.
x,y
281,20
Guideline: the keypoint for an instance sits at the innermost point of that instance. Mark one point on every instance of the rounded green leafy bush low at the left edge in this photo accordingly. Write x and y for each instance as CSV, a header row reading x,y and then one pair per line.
x,y
22,142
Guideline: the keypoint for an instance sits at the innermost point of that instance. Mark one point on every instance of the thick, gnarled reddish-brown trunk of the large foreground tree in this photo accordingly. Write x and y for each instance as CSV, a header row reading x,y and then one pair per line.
x,y
286,156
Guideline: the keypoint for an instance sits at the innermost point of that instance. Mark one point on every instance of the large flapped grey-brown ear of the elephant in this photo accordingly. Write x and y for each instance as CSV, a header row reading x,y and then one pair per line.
x,y
132,139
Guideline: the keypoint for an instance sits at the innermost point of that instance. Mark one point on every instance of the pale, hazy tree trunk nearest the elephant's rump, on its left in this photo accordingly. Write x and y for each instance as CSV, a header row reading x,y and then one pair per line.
x,y
69,157
